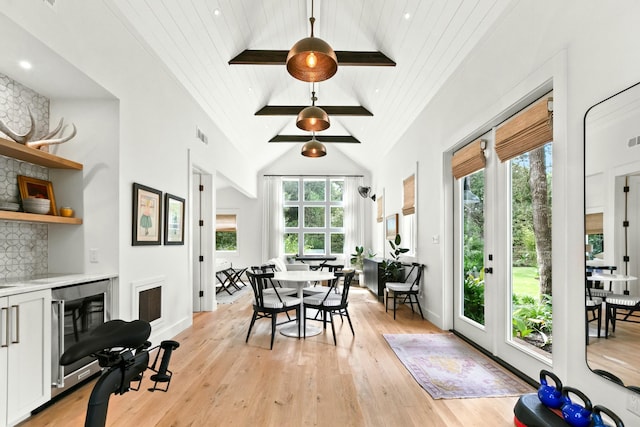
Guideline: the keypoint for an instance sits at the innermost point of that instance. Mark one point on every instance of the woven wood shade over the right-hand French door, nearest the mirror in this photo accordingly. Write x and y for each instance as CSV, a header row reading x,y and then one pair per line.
x,y
529,129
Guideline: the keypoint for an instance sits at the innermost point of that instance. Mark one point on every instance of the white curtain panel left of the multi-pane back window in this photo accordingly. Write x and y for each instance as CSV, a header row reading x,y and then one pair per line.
x,y
272,221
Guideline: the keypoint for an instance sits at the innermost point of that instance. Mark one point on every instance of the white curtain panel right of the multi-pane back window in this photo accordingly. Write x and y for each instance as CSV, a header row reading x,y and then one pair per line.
x,y
353,216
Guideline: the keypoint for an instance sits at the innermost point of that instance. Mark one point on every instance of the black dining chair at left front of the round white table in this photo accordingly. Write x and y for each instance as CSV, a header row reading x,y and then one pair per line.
x,y
269,305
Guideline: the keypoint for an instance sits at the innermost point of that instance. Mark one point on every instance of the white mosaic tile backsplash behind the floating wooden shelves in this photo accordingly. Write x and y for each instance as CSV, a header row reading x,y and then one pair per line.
x,y
23,246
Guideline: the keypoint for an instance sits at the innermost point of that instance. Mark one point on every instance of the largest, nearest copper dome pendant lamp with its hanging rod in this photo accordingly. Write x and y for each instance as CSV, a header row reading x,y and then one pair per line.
x,y
312,59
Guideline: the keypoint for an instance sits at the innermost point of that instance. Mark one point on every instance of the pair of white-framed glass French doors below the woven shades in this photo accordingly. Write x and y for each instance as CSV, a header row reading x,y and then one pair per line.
x,y
502,257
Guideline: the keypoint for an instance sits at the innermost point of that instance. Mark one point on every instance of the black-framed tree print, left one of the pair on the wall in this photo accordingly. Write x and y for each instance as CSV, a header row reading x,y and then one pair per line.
x,y
147,205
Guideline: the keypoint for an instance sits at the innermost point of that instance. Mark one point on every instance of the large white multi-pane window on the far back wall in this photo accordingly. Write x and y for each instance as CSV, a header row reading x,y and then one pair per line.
x,y
313,211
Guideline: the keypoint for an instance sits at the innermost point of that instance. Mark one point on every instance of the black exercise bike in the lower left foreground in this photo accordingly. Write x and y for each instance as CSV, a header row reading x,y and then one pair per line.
x,y
122,350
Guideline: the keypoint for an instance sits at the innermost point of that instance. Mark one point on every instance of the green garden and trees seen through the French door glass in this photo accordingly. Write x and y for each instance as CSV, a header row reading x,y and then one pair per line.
x,y
531,240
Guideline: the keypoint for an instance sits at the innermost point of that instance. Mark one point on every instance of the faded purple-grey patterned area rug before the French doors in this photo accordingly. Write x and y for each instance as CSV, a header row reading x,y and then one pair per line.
x,y
448,368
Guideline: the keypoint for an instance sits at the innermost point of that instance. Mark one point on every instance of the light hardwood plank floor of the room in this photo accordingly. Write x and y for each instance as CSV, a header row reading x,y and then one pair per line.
x,y
219,380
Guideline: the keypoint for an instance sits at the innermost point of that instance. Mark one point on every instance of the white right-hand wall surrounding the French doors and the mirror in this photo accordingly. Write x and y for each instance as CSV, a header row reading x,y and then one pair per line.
x,y
587,48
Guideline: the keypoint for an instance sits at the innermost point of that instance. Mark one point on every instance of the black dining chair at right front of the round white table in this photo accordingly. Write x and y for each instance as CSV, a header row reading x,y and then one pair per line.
x,y
330,303
